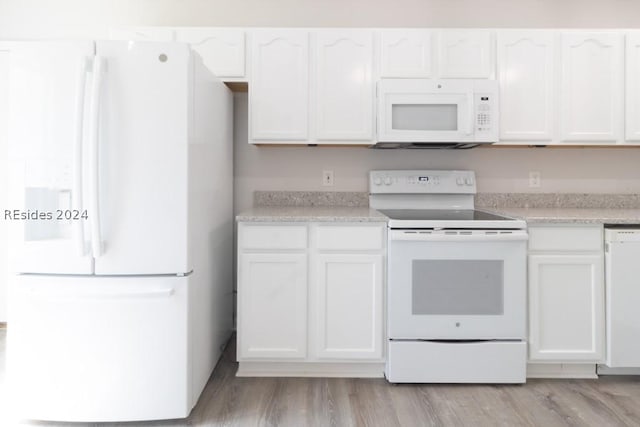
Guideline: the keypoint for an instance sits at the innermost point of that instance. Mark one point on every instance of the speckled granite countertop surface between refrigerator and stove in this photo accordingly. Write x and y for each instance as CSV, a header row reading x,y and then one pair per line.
x,y
311,214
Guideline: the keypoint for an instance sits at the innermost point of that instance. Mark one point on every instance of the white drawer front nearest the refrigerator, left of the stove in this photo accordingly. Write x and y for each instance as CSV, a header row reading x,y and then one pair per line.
x,y
273,237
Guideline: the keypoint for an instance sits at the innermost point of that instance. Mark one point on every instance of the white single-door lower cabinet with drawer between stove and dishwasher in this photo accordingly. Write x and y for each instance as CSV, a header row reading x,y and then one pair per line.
x,y
566,294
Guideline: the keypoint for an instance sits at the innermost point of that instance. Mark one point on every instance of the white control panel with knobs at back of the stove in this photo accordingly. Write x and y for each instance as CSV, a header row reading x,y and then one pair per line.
x,y
422,182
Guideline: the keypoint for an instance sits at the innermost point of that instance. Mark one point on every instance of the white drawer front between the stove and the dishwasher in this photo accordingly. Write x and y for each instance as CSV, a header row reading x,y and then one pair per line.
x,y
565,238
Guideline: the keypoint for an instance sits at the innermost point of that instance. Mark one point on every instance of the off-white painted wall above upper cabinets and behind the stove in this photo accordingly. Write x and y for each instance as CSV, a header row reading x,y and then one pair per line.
x,y
563,170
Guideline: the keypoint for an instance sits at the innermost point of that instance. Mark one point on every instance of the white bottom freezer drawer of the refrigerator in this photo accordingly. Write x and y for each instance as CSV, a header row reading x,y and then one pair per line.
x,y
99,349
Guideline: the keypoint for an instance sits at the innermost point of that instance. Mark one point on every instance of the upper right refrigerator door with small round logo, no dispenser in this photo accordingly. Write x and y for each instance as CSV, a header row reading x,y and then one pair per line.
x,y
142,166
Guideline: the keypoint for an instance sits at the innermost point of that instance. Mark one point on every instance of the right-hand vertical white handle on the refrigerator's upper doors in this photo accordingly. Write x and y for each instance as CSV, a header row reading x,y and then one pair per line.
x,y
94,118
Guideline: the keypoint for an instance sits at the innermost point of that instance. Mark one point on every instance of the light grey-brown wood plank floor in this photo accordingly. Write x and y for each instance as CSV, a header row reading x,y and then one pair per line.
x,y
231,401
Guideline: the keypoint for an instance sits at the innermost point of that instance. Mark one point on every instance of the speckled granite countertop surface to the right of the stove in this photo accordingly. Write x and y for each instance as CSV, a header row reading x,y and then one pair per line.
x,y
571,215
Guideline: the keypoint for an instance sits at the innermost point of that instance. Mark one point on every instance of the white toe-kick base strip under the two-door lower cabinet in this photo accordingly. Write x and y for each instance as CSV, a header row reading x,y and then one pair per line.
x,y
311,369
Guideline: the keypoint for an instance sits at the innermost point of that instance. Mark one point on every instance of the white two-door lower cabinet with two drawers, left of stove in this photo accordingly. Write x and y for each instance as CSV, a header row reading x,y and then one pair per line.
x,y
315,309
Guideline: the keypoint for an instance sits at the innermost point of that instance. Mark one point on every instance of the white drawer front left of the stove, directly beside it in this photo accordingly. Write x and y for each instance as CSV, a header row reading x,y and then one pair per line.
x,y
350,237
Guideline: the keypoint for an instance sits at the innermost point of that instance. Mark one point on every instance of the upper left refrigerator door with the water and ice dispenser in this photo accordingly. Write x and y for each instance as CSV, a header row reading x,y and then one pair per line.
x,y
47,121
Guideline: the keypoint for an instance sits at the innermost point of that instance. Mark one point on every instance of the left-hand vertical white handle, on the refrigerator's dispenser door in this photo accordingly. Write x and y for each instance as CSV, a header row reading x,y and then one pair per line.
x,y
76,200
